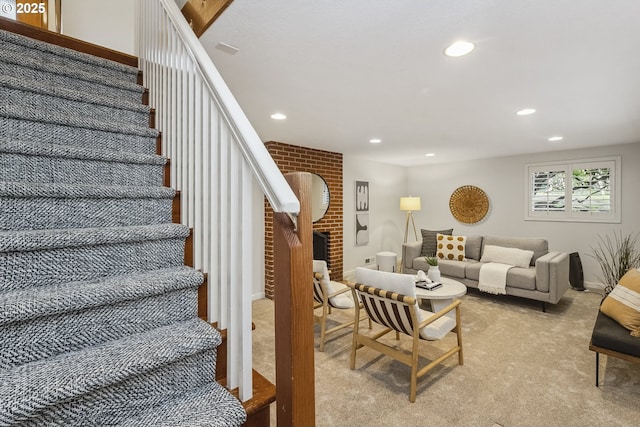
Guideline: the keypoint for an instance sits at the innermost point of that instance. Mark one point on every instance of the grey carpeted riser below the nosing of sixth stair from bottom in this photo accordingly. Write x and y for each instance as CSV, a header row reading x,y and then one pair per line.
x,y
25,168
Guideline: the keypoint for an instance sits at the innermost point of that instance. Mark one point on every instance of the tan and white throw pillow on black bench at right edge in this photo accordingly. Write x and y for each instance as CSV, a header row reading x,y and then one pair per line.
x,y
623,302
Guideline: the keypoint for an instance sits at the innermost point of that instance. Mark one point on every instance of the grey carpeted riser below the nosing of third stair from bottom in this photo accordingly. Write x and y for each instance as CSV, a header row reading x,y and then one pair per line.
x,y
74,330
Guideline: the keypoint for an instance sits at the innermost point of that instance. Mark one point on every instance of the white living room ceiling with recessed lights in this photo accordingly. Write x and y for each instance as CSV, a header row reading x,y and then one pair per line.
x,y
346,71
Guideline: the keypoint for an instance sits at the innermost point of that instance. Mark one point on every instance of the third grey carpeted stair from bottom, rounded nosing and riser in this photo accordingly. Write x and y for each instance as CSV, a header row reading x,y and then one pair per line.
x,y
72,316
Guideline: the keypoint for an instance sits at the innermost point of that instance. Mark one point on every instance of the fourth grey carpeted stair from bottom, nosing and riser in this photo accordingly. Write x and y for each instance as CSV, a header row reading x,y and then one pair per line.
x,y
36,258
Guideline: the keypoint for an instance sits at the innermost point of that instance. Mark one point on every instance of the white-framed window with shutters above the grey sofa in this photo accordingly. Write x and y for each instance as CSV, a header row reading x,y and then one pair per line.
x,y
579,190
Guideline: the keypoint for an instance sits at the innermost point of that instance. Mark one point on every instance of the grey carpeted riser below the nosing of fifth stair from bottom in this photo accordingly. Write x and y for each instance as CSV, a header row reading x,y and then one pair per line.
x,y
43,213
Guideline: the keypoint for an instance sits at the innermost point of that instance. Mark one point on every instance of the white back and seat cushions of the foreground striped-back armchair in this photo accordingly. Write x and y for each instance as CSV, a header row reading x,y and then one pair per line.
x,y
405,284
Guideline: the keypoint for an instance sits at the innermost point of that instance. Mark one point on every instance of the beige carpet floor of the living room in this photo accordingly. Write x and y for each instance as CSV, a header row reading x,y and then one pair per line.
x,y
522,367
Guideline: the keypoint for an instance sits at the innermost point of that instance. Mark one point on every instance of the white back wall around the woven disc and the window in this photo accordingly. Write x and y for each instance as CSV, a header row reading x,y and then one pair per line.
x,y
502,179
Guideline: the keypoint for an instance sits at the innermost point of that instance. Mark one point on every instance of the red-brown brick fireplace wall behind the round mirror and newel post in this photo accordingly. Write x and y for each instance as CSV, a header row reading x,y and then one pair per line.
x,y
291,158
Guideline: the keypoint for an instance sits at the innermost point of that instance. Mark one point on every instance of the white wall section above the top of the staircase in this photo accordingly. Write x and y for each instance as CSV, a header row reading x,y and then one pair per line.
x,y
106,23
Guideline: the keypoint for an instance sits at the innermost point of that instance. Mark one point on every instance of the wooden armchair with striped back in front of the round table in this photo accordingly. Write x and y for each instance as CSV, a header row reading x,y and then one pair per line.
x,y
389,299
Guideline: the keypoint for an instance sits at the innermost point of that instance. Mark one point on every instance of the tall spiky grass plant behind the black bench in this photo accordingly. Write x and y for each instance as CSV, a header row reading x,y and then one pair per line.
x,y
616,256
